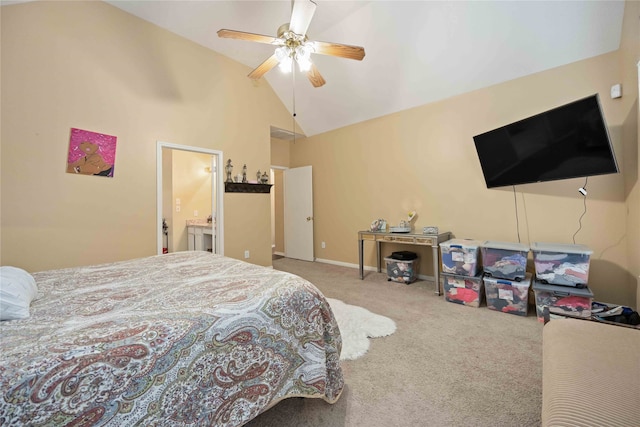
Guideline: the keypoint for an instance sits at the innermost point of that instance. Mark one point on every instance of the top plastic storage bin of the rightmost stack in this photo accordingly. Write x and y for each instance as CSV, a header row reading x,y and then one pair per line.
x,y
561,264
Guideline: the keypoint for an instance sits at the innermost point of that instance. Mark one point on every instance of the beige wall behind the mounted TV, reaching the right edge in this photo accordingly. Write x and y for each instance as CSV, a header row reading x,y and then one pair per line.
x,y
424,159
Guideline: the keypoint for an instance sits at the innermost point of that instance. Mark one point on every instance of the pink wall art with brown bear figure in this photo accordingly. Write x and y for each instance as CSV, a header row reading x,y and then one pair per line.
x,y
91,153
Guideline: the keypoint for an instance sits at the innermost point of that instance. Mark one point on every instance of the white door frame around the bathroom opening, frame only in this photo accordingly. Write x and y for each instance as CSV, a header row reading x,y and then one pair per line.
x,y
216,203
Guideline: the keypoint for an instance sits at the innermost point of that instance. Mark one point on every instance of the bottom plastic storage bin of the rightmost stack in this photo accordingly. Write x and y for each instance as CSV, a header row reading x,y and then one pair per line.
x,y
562,300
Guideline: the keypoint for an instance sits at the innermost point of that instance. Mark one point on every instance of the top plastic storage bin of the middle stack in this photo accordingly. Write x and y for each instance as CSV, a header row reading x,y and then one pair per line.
x,y
505,260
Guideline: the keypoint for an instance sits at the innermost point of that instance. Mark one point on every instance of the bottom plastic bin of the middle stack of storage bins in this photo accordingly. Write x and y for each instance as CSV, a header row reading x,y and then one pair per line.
x,y
508,296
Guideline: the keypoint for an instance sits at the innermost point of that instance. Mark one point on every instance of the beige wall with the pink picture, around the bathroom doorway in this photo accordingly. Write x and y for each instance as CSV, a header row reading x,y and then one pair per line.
x,y
92,66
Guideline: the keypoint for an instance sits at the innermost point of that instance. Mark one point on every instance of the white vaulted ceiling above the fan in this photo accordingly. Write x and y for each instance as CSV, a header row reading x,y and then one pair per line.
x,y
417,52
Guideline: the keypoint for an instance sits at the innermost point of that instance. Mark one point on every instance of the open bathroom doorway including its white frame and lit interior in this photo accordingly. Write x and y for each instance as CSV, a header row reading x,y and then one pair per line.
x,y
189,191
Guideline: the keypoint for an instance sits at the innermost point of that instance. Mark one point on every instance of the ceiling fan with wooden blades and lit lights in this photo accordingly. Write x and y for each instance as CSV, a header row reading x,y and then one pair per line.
x,y
294,46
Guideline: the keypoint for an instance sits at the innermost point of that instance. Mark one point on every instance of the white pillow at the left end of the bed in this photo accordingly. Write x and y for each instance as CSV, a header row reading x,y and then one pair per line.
x,y
17,289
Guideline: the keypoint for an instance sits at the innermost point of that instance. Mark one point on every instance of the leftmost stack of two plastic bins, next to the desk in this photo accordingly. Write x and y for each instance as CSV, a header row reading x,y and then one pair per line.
x,y
461,281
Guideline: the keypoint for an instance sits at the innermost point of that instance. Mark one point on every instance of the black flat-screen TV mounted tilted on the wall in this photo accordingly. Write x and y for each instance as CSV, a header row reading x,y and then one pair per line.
x,y
569,141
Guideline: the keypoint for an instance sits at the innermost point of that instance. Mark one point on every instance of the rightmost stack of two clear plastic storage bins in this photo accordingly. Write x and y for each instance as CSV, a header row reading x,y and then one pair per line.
x,y
562,273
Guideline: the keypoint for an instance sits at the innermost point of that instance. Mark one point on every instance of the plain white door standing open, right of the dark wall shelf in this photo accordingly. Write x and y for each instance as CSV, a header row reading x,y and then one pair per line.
x,y
298,213
